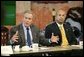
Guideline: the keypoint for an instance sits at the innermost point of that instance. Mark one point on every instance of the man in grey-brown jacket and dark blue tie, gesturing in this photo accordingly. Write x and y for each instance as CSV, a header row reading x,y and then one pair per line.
x,y
18,34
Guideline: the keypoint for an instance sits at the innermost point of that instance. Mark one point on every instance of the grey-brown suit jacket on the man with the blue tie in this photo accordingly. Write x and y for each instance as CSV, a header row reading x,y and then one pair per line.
x,y
21,41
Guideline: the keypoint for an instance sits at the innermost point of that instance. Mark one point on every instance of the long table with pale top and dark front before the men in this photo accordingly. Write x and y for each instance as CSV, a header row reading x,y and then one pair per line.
x,y
52,51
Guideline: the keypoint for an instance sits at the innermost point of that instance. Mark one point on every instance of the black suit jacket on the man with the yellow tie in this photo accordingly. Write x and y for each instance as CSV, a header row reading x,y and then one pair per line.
x,y
53,28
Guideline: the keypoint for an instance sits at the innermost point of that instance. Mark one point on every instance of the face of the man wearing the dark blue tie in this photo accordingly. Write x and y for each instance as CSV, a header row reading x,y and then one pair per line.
x,y
27,19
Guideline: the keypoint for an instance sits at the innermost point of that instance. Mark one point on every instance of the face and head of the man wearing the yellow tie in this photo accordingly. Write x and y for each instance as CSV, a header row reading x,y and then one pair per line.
x,y
60,17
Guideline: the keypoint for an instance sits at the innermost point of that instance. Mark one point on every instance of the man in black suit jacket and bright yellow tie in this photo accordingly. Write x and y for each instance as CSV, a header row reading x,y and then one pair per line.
x,y
55,35
